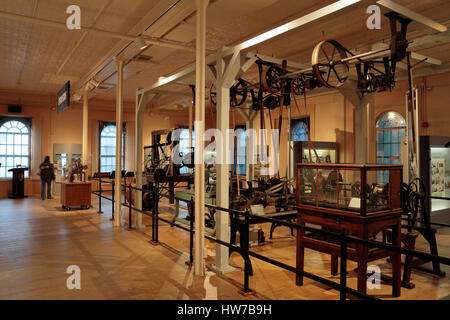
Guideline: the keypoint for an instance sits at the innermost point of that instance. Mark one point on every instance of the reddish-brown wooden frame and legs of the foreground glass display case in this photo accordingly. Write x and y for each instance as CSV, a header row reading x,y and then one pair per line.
x,y
360,223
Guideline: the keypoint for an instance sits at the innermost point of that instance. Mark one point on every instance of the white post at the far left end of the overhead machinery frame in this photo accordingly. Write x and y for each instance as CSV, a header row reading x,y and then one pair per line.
x,y
141,102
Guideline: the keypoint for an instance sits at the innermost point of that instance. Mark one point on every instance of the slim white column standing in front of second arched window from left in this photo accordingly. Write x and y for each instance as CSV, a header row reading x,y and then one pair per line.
x,y
118,179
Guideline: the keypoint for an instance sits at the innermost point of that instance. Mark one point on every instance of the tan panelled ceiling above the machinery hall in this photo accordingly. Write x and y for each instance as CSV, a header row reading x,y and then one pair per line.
x,y
39,59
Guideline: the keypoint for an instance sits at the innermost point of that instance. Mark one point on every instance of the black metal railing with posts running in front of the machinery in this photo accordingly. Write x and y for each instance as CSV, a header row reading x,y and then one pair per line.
x,y
244,217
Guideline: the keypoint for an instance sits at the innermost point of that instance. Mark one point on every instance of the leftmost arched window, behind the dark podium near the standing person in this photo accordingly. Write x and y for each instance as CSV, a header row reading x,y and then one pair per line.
x,y
14,146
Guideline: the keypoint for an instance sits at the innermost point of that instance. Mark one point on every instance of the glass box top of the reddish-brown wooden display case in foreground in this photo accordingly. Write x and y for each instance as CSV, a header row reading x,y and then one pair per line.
x,y
353,188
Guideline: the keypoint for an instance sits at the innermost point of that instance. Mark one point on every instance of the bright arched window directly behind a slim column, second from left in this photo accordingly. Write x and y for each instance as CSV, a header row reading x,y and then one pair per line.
x,y
108,148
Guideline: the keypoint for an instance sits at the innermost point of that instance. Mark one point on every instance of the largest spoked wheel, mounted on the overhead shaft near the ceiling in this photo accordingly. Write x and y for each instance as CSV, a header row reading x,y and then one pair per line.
x,y
327,63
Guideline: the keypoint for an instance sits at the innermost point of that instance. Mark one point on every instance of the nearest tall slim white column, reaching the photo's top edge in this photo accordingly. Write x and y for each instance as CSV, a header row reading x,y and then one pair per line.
x,y
199,174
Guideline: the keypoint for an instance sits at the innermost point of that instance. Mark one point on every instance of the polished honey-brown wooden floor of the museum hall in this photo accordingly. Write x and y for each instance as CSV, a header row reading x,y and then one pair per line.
x,y
38,241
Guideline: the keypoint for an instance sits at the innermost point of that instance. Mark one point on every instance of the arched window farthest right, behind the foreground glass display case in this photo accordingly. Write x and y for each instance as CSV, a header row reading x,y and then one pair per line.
x,y
391,127
